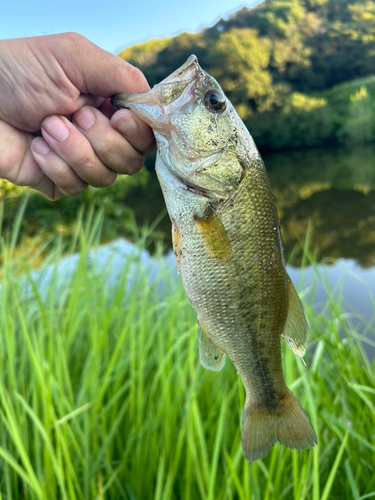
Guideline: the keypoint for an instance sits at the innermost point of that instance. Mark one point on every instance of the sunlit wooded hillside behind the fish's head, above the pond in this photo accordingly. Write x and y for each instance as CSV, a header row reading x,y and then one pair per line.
x,y
281,52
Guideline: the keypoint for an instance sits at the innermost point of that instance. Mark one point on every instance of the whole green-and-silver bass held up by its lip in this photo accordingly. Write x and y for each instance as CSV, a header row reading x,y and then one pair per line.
x,y
228,247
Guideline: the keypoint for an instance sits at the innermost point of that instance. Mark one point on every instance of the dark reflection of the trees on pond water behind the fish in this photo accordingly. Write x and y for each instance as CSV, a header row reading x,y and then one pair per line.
x,y
334,189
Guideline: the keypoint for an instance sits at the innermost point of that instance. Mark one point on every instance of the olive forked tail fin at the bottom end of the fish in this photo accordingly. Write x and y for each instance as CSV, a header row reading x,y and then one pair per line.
x,y
287,423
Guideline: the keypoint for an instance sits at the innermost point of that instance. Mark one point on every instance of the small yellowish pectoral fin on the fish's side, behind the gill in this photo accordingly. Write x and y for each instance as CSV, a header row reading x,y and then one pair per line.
x,y
214,236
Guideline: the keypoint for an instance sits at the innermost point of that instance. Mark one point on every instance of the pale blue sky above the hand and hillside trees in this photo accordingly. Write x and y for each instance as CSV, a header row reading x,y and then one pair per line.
x,y
112,24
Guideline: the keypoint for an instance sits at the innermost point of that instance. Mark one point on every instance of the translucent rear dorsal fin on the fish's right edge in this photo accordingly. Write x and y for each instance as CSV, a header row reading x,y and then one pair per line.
x,y
296,330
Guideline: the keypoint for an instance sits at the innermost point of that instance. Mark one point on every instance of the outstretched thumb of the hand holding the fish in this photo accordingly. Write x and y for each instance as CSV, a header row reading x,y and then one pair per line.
x,y
93,70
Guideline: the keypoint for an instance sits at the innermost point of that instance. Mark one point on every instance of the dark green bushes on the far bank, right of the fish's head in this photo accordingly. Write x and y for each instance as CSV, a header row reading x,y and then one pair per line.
x,y
344,114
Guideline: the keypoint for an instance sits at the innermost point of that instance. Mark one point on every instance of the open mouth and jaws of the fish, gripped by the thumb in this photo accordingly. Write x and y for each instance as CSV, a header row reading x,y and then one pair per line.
x,y
156,106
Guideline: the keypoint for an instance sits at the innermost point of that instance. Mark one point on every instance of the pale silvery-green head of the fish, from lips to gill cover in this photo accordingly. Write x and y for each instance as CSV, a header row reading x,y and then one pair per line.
x,y
198,132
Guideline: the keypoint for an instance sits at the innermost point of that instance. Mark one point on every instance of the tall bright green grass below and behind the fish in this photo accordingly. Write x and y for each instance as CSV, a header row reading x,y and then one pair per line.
x,y
102,397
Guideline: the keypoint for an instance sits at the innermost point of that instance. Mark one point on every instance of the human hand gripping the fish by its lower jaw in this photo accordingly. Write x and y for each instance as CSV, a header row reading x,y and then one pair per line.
x,y
58,86
